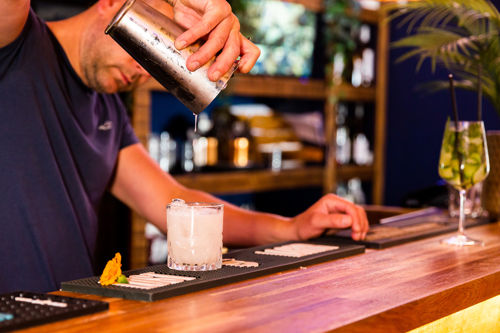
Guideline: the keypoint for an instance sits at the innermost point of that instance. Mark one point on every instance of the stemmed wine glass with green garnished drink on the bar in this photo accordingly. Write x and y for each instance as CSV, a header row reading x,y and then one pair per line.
x,y
463,162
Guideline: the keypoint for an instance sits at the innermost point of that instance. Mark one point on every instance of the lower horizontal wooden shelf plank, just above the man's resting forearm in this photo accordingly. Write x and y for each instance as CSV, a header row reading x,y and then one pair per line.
x,y
265,180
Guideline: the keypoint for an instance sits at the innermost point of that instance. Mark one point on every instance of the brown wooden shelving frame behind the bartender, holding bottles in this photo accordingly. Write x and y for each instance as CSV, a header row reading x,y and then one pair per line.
x,y
327,176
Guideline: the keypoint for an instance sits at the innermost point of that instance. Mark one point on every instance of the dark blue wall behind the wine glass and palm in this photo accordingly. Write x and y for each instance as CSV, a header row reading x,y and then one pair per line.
x,y
415,124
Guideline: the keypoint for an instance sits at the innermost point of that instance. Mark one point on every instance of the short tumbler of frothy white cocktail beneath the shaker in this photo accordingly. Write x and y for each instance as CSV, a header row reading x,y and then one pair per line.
x,y
194,235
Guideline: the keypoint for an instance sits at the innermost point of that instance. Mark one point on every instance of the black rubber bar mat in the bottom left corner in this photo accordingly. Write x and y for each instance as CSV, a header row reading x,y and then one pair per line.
x,y
22,309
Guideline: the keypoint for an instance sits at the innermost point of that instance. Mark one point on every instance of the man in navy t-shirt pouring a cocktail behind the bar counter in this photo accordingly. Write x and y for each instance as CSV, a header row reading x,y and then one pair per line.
x,y
65,139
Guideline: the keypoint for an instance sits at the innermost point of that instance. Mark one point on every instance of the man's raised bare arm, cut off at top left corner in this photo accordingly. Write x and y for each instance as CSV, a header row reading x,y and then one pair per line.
x,y
13,14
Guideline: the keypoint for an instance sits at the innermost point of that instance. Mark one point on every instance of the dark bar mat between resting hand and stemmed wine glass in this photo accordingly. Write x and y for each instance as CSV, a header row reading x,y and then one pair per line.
x,y
407,229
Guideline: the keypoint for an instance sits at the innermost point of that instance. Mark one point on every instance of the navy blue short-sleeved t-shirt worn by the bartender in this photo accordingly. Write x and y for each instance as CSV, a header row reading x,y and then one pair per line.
x,y
59,143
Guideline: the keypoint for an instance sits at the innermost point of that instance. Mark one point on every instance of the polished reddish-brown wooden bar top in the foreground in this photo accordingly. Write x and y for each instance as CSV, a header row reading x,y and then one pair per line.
x,y
395,289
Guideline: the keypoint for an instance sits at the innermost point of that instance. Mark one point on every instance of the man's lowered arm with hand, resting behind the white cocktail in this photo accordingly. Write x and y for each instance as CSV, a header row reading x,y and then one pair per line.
x,y
140,183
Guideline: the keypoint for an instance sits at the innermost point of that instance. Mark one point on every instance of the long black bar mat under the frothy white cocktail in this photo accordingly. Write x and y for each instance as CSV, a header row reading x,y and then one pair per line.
x,y
227,274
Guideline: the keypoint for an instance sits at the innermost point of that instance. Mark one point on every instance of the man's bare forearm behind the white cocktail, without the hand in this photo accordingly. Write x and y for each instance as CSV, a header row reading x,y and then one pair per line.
x,y
142,185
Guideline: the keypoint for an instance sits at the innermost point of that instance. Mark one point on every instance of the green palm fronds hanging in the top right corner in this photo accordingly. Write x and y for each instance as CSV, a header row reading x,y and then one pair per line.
x,y
461,35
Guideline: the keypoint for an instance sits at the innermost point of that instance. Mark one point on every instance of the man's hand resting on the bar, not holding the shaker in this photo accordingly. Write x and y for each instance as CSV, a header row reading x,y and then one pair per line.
x,y
331,212
